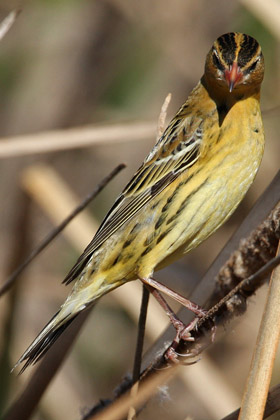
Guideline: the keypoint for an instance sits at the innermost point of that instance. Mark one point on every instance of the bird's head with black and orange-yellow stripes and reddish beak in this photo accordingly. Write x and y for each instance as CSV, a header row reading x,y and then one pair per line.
x,y
235,63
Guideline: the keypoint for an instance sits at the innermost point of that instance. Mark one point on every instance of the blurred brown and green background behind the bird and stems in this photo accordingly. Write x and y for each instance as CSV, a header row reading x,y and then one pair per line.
x,y
67,64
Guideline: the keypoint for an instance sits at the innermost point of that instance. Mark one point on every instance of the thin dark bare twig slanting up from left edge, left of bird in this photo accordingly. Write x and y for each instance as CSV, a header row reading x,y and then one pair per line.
x,y
52,235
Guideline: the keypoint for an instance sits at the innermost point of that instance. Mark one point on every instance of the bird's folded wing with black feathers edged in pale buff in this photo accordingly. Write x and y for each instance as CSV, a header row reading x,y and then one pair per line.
x,y
176,150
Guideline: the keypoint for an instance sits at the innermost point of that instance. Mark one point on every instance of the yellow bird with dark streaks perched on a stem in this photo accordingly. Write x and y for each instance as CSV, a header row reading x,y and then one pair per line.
x,y
186,188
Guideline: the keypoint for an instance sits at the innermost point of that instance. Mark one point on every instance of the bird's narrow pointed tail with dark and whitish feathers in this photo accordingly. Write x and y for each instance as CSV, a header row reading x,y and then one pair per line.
x,y
44,341
